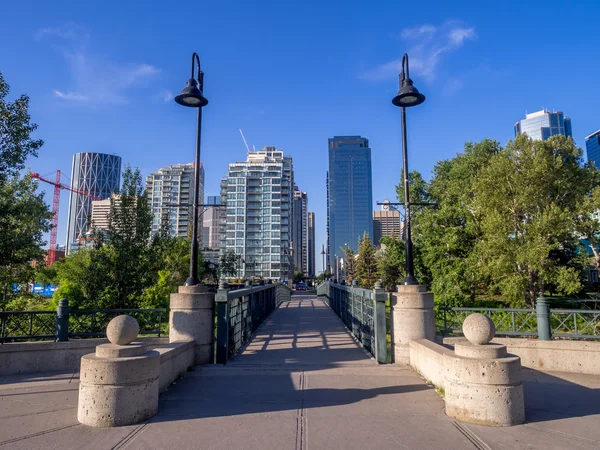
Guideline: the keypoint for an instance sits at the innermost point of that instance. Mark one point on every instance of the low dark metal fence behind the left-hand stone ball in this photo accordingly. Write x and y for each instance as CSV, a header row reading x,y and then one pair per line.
x,y
64,323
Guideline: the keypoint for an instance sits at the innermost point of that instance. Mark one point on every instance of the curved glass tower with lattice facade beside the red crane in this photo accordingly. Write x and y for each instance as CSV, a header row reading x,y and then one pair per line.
x,y
98,174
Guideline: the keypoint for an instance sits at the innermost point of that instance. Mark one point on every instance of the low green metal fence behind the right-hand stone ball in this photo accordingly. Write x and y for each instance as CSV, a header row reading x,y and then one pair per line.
x,y
541,322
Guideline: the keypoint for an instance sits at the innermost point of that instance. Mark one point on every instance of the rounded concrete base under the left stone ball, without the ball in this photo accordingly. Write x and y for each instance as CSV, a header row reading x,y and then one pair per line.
x,y
117,391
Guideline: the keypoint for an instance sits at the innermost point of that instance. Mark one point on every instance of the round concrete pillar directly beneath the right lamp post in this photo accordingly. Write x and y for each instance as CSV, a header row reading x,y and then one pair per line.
x,y
411,318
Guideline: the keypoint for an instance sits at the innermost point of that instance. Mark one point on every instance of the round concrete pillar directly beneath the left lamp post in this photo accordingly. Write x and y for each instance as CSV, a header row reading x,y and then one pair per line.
x,y
192,318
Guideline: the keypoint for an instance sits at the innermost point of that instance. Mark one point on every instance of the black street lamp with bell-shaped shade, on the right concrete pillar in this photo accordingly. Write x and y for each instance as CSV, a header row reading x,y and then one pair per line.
x,y
408,96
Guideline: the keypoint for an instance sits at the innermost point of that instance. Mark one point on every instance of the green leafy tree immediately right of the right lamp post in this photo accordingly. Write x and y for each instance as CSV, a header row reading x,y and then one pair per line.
x,y
448,233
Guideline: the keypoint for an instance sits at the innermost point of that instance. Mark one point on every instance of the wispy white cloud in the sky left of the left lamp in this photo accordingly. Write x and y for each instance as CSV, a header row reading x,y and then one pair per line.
x,y
94,80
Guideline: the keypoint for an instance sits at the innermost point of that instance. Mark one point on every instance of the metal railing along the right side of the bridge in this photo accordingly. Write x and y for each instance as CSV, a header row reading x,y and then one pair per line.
x,y
363,313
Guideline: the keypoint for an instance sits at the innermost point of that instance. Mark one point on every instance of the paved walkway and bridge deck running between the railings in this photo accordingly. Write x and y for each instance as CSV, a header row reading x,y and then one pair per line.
x,y
302,383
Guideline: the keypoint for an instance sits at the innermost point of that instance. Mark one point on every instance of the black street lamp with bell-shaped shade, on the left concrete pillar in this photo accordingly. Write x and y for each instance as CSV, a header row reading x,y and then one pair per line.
x,y
193,97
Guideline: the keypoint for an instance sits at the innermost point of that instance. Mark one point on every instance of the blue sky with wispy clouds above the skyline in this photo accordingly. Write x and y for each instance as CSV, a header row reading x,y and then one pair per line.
x,y
101,76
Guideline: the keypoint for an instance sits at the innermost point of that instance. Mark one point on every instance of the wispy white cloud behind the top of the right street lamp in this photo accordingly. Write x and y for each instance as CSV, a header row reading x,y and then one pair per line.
x,y
426,46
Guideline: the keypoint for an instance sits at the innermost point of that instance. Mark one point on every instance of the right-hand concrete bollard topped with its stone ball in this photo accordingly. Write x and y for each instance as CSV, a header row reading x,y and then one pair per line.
x,y
483,383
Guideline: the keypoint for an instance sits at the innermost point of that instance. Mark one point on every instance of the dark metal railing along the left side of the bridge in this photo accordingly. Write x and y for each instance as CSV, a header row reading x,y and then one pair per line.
x,y
241,312
